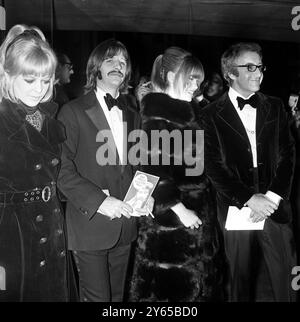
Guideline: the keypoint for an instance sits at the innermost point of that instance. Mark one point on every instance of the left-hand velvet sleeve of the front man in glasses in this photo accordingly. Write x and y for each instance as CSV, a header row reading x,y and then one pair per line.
x,y
223,179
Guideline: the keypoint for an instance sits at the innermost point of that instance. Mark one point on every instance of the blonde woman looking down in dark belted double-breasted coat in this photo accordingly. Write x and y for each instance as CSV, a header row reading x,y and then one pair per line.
x,y
33,258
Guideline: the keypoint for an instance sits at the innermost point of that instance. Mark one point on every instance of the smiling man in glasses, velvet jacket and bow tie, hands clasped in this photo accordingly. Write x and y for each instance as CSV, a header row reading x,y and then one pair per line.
x,y
249,158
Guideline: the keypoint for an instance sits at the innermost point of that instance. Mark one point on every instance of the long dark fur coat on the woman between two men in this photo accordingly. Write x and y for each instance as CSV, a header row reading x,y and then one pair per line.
x,y
172,262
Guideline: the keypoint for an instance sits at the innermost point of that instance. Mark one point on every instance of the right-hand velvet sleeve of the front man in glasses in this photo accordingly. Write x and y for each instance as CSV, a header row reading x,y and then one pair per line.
x,y
282,179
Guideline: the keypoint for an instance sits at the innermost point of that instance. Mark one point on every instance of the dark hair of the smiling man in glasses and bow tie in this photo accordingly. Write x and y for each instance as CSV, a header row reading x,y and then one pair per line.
x,y
232,53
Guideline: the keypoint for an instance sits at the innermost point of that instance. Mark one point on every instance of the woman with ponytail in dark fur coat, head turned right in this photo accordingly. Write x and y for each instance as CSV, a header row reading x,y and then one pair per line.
x,y
177,255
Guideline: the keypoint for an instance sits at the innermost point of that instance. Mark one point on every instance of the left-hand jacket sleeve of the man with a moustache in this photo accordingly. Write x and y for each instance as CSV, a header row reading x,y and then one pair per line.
x,y
81,192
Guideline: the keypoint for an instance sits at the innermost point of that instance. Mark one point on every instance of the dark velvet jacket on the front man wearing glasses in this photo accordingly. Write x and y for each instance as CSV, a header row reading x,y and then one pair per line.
x,y
228,157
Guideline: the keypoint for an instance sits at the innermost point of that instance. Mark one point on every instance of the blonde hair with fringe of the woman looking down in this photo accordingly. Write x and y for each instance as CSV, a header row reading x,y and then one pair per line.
x,y
25,51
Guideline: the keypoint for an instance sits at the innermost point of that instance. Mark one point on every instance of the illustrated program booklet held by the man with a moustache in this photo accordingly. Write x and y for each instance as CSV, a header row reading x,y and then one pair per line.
x,y
140,190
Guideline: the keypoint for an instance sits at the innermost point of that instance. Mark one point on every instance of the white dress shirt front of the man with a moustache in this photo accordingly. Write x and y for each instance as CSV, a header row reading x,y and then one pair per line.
x,y
114,118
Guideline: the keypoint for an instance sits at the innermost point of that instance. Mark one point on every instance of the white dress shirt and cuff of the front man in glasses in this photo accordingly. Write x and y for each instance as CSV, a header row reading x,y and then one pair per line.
x,y
248,118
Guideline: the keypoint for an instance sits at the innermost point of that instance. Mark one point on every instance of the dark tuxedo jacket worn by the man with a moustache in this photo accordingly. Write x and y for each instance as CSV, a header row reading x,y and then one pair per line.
x,y
85,182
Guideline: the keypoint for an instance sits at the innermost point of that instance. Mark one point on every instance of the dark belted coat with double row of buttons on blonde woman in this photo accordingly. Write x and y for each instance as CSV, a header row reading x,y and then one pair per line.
x,y
32,240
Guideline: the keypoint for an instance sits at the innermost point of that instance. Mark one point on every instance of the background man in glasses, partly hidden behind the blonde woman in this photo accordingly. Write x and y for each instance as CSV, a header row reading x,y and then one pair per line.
x,y
63,73
